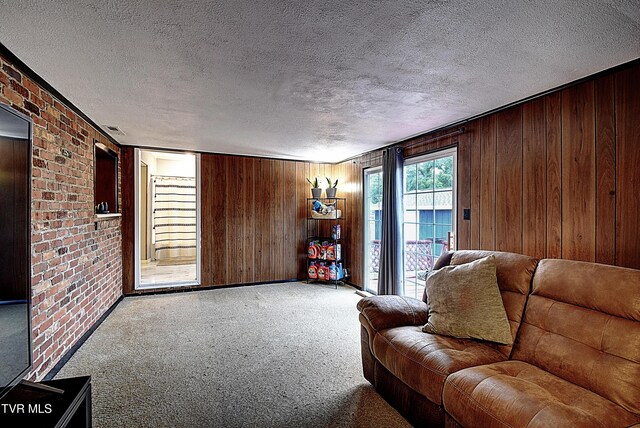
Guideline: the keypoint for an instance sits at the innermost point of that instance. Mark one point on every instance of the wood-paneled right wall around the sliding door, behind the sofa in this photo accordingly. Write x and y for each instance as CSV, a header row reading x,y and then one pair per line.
x,y
555,177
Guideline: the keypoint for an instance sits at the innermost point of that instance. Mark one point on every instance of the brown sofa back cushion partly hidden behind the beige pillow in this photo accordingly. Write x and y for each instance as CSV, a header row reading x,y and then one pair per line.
x,y
514,273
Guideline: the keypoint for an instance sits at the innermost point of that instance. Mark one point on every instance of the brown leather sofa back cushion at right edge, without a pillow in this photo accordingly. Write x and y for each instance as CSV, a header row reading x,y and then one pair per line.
x,y
582,324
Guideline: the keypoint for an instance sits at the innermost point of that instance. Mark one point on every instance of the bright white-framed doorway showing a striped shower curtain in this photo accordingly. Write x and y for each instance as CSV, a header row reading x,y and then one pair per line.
x,y
167,219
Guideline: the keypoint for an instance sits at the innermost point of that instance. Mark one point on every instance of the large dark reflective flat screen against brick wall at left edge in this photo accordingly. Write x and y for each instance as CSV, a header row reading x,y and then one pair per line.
x,y
15,247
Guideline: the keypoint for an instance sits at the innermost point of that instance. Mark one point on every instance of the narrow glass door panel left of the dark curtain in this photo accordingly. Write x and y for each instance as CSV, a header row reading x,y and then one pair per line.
x,y
373,226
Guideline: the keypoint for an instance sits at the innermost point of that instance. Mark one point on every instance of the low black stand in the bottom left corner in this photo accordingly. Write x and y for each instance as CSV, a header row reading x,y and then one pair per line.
x,y
30,405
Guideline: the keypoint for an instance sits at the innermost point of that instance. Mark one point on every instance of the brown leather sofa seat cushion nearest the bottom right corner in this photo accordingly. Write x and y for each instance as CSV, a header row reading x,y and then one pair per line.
x,y
518,394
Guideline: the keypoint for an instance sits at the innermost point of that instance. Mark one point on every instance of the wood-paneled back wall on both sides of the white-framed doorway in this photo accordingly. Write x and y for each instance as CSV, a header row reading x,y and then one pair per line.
x,y
253,218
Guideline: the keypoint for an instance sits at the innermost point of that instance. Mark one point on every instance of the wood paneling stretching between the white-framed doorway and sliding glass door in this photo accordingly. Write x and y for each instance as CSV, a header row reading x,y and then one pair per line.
x,y
254,217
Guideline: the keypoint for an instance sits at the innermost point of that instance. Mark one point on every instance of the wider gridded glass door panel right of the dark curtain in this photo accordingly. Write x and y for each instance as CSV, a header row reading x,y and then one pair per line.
x,y
429,210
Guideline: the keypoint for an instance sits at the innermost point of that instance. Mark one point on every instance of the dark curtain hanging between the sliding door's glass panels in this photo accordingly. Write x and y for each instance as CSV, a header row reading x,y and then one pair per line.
x,y
391,257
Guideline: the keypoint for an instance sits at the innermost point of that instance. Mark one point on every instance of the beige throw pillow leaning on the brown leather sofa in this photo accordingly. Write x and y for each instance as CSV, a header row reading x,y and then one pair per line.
x,y
465,302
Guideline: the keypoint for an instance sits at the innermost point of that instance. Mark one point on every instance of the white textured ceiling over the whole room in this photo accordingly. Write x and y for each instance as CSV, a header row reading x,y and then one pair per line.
x,y
317,80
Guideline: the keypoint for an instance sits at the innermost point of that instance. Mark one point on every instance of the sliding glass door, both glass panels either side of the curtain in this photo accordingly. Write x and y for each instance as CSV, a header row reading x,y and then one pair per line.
x,y
429,213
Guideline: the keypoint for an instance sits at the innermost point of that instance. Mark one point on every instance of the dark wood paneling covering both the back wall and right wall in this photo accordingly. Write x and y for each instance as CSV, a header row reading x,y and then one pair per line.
x,y
557,177
